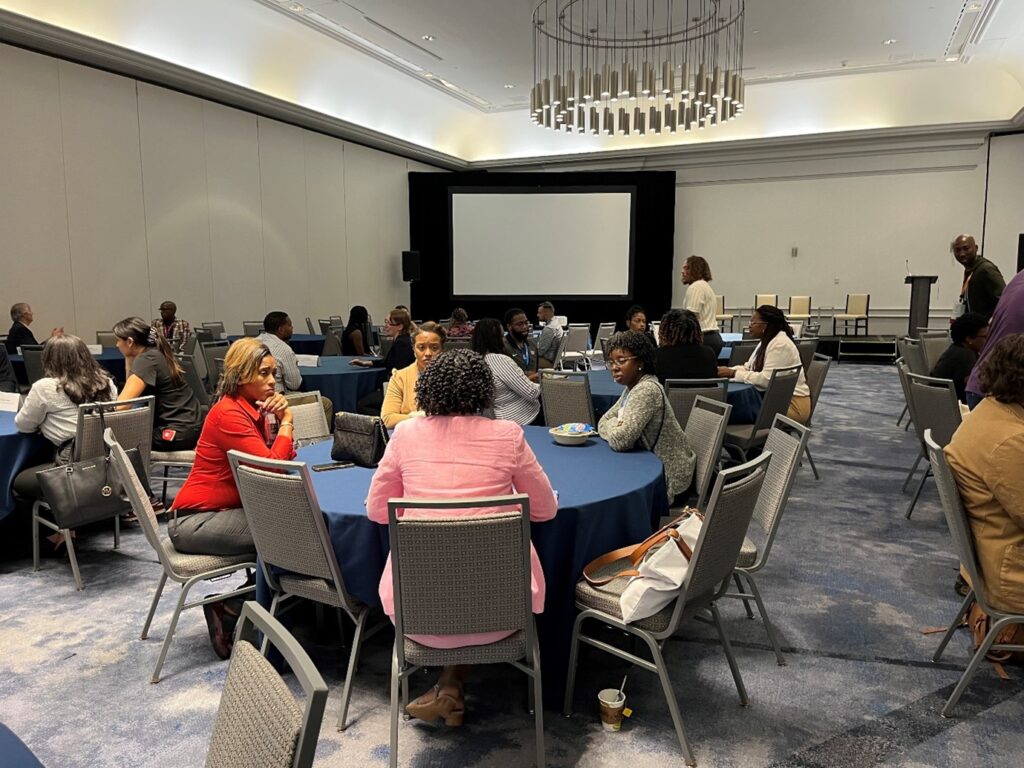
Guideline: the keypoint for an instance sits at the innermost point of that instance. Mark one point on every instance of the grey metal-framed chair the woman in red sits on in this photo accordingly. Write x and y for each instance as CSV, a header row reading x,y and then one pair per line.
x,y
186,570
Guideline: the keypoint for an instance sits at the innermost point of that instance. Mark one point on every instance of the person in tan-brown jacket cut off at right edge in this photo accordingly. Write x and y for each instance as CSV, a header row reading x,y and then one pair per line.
x,y
986,455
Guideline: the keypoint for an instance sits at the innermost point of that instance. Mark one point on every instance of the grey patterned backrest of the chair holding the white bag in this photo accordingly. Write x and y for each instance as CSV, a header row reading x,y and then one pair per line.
x,y
727,522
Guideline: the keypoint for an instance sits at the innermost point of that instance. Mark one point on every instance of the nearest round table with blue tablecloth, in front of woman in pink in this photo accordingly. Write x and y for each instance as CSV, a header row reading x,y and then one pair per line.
x,y
607,501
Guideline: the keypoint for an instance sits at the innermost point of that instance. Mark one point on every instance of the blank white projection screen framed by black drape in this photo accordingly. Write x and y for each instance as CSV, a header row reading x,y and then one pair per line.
x,y
570,244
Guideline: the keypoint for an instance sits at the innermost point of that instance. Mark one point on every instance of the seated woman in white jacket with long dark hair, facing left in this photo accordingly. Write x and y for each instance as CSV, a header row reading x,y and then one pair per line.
x,y
776,351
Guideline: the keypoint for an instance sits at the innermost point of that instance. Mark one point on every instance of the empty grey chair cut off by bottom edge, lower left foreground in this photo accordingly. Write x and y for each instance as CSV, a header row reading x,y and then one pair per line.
x,y
260,721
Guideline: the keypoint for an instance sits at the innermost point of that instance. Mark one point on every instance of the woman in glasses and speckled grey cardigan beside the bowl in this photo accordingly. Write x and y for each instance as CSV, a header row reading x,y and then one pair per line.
x,y
643,417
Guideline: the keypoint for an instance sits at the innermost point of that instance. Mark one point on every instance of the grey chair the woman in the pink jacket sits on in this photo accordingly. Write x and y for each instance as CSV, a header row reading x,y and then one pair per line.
x,y
490,591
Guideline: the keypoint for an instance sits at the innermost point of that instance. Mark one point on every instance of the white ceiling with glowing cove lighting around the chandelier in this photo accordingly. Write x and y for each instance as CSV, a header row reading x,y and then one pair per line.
x,y
431,76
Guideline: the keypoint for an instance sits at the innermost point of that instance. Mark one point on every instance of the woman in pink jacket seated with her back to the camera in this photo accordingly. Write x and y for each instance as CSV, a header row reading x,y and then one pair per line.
x,y
494,460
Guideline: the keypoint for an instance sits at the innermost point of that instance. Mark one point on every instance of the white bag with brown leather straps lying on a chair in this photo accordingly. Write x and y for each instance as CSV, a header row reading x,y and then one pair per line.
x,y
660,567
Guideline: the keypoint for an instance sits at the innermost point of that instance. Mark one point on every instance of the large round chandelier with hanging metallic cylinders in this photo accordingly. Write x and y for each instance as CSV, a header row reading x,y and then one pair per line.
x,y
623,67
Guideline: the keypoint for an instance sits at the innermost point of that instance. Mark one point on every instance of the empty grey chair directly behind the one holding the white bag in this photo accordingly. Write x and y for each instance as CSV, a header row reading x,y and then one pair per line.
x,y
787,443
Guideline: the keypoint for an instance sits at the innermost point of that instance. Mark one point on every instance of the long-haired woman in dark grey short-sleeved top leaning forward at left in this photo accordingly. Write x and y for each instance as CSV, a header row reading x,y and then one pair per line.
x,y
152,370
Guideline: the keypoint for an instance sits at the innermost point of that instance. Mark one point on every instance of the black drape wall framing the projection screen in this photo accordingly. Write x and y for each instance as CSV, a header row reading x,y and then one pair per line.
x,y
654,238
